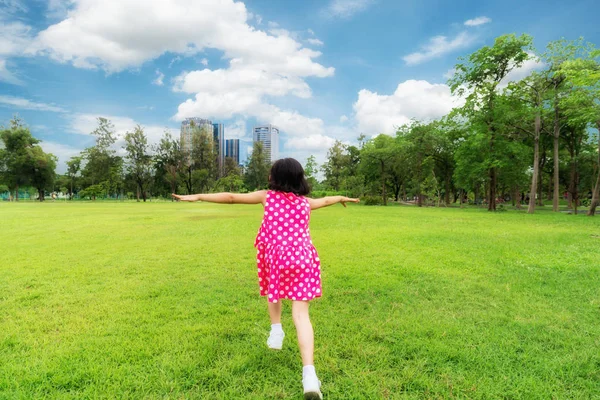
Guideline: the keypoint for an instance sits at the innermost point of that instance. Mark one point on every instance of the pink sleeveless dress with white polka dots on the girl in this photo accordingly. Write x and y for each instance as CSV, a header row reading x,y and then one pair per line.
x,y
288,263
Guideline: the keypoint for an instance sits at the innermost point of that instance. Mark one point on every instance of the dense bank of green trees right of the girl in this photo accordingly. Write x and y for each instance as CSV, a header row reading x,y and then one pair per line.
x,y
518,141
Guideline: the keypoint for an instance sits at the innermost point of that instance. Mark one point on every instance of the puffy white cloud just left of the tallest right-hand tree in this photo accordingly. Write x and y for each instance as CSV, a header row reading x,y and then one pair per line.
x,y
412,99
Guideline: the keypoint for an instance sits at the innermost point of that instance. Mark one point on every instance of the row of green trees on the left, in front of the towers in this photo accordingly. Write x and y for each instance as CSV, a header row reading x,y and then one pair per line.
x,y
134,169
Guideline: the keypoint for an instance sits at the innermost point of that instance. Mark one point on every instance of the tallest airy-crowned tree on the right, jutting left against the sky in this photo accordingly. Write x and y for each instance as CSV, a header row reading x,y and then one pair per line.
x,y
479,78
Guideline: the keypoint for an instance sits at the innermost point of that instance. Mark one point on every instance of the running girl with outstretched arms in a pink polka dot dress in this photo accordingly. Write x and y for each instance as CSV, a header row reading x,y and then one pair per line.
x,y
288,263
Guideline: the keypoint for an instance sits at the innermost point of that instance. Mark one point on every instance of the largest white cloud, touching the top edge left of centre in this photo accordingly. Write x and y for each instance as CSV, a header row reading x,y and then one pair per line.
x,y
102,35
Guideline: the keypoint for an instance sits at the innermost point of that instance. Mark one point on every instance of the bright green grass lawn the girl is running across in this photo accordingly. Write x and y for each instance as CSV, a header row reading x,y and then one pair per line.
x,y
160,301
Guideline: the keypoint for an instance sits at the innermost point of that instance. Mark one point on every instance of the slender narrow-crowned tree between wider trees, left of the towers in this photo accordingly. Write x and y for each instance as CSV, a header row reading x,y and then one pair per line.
x,y
139,161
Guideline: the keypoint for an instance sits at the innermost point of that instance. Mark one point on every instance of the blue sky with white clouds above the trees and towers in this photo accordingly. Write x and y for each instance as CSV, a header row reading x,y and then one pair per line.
x,y
320,70
